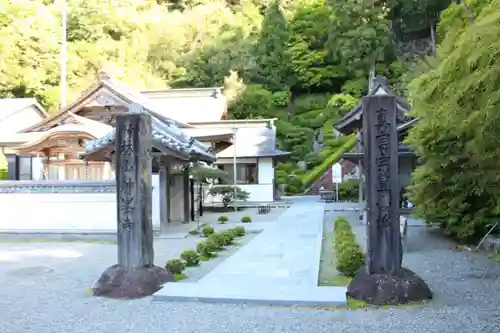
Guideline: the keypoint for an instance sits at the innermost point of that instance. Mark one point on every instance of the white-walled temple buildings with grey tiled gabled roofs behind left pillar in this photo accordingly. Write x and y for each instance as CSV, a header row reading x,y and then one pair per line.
x,y
189,125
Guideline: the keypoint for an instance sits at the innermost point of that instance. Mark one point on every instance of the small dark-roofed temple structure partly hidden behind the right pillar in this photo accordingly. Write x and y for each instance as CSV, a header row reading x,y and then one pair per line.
x,y
352,122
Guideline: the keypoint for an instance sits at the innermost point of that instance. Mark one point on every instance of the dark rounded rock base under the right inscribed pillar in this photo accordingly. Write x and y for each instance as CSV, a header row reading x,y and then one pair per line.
x,y
382,289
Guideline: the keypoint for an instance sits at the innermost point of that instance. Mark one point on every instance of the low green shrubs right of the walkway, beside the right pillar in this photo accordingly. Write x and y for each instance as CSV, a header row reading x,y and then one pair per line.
x,y
349,256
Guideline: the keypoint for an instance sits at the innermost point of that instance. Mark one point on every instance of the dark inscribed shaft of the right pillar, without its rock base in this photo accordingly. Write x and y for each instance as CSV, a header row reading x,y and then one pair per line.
x,y
381,159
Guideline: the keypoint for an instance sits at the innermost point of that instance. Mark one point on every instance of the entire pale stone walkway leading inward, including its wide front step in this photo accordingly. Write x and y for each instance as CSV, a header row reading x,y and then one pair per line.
x,y
280,266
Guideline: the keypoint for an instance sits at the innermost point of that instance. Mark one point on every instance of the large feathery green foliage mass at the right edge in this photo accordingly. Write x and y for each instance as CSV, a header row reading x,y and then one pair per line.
x,y
457,137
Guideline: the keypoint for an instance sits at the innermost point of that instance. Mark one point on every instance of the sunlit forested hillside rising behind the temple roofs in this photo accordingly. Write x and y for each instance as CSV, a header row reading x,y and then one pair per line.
x,y
302,61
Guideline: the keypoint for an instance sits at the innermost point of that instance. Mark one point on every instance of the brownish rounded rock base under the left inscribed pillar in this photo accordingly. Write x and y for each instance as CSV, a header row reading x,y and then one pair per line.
x,y
126,283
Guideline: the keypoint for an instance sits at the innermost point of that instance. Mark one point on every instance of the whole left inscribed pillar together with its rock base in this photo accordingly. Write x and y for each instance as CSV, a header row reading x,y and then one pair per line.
x,y
135,274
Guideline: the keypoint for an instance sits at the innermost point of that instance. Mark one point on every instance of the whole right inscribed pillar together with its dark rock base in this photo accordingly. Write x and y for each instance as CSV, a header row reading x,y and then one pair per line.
x,y
383,280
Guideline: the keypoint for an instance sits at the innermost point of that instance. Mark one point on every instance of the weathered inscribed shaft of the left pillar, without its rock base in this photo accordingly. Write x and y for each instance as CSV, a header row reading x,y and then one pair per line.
x,y
134,190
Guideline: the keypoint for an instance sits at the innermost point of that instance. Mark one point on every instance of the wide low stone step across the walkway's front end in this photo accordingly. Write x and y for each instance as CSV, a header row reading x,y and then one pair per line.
x,y
259,295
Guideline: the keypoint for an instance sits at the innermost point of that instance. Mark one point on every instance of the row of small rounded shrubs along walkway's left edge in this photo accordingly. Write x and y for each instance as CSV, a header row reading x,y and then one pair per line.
x,y
204,250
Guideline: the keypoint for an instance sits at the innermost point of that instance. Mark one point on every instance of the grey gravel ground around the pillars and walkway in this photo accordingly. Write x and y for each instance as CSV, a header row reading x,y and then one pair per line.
x,y
55,302
